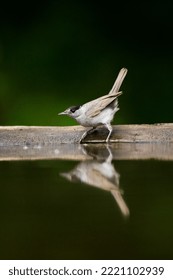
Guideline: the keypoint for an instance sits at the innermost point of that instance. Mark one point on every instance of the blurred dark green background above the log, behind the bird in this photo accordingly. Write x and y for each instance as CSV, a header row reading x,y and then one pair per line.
x,y
54,54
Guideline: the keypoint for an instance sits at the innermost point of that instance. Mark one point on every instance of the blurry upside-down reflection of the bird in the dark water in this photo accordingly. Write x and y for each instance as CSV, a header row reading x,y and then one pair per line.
x,y
100,174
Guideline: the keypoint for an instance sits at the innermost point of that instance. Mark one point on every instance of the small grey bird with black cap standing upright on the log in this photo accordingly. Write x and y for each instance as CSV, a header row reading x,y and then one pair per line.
x,y
99,111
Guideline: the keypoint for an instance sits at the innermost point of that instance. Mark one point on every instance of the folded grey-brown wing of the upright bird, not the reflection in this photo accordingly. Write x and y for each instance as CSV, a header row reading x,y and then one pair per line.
x,y
94,107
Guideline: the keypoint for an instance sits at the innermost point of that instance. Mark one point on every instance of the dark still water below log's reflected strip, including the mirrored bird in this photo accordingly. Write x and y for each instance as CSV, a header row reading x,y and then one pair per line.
x,y
94,209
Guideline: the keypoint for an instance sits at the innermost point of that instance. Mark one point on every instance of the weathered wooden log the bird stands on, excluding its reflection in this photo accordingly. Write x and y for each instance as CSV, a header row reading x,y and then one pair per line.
x,y
43,135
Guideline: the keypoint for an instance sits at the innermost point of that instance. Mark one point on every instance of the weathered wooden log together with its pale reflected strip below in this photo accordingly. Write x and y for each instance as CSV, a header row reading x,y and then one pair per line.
x,y
127,142
